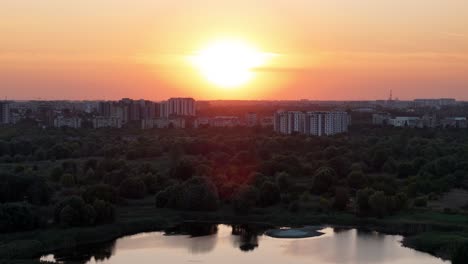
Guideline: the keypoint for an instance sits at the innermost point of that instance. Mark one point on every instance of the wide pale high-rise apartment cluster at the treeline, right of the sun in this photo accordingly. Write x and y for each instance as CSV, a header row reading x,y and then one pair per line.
x,y
311,123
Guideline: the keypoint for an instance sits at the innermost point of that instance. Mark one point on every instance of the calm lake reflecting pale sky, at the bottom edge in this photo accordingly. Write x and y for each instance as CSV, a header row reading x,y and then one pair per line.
x,y
213,243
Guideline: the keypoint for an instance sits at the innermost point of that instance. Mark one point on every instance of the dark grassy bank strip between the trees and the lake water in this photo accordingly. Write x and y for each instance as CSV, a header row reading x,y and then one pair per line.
x,y
137,219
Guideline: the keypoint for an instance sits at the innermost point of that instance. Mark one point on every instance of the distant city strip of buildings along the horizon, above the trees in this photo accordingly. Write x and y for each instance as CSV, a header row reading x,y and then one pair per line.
x,y
318,118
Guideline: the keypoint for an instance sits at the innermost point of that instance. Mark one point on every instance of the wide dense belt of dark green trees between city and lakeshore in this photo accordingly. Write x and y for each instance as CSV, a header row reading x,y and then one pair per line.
x,y
71,178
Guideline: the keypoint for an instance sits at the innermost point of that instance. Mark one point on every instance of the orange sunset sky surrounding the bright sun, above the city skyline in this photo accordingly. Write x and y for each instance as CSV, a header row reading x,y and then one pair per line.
x,y
324,49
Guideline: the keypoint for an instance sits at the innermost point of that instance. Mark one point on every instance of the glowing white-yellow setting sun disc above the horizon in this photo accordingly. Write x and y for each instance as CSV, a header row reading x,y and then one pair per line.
x,y
229,63
